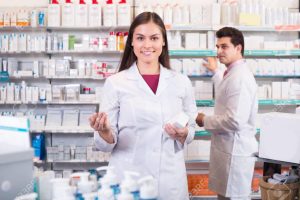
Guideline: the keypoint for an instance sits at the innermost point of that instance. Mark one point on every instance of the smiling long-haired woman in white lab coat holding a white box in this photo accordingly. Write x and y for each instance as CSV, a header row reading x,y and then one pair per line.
x,y
138,103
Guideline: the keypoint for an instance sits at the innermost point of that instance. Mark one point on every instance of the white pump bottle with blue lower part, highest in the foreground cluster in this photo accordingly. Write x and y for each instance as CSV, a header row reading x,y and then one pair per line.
x,y
111,178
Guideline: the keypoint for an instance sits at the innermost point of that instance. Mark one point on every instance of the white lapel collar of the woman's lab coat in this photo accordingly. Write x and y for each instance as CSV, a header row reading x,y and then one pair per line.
x,y
134,74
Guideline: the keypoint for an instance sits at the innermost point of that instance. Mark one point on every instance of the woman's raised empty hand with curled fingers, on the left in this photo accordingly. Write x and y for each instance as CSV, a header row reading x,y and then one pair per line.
x,y
99,122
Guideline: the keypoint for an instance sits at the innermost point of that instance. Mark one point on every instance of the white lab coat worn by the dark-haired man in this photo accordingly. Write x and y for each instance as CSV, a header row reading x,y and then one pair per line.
x,y
233,130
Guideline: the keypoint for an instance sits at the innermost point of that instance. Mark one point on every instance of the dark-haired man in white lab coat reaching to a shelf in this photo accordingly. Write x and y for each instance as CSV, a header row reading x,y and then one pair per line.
x,y
233,141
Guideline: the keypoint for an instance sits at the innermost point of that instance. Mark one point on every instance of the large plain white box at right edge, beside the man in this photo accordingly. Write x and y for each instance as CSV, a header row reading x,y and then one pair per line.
x,y
280,137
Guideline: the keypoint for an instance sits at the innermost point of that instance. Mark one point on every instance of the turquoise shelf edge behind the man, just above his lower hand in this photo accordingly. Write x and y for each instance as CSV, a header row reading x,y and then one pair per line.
x,y
210,103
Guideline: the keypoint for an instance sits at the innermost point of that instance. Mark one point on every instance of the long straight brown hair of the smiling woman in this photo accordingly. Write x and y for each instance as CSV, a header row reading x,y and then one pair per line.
x,y
129,57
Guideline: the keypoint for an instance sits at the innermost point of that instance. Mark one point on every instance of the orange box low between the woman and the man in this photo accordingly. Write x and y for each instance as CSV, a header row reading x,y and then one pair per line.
x,y
198,185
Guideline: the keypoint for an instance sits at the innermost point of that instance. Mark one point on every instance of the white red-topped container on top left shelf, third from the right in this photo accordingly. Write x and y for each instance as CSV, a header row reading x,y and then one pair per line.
x,y
95,14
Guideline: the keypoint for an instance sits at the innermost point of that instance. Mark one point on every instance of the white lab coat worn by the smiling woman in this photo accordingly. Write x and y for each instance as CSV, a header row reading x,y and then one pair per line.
x,y
138,116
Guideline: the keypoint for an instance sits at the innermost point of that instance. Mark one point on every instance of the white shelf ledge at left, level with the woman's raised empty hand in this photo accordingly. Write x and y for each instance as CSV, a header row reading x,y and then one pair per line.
x,y
64,130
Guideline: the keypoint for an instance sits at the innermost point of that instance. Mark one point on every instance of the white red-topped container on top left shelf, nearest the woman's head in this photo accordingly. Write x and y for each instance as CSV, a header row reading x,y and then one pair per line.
x,y
124,14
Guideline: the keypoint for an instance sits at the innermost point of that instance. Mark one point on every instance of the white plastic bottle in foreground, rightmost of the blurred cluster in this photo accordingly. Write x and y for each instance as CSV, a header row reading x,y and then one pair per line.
x,y
148,191
